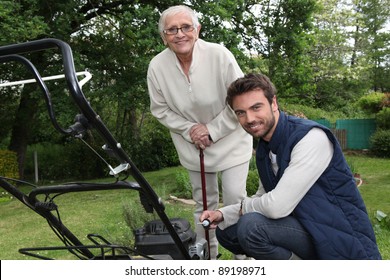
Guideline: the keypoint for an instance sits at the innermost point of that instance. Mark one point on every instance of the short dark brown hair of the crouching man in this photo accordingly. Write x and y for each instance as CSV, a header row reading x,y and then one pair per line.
x,y
251,82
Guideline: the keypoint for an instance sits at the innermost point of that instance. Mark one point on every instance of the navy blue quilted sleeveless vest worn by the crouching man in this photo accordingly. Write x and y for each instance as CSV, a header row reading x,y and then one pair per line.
x,y
332,211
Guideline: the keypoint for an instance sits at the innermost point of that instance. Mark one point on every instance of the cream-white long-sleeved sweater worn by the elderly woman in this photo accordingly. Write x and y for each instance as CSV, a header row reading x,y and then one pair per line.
x,y
179,103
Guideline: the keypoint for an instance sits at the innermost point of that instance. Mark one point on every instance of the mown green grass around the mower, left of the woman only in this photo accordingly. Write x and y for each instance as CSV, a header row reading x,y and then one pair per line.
x,y
100,212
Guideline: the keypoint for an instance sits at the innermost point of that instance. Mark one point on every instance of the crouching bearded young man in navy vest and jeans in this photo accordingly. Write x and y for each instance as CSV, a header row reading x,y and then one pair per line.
x,y
307,205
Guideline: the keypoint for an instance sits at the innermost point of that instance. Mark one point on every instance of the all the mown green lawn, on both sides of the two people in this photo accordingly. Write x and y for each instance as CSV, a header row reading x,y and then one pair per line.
x,y
103,212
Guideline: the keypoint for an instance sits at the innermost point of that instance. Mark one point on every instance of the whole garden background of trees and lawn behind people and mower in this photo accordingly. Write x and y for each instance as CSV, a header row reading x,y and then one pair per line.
x,y
328,64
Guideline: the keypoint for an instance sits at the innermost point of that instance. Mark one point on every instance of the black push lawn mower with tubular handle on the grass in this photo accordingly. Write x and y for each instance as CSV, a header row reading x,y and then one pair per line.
x,y
164,238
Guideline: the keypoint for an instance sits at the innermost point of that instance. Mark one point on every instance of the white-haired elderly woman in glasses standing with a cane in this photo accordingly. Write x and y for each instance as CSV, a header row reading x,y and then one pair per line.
x,y
187,85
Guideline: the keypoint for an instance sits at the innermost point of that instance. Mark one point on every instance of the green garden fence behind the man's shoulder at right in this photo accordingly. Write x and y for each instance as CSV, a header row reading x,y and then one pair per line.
x,y
352,134
